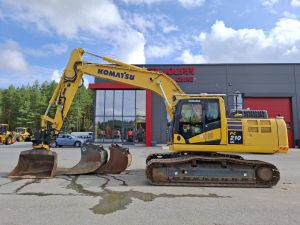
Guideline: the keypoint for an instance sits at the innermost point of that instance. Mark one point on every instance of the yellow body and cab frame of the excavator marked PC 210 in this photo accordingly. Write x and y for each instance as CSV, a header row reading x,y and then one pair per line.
x,y
252,135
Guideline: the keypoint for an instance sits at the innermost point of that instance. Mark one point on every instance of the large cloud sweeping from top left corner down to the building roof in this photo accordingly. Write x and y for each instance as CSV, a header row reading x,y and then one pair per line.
x,y
76,19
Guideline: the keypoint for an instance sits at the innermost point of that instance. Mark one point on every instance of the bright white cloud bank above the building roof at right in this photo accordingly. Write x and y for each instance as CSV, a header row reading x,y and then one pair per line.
x,y
227,45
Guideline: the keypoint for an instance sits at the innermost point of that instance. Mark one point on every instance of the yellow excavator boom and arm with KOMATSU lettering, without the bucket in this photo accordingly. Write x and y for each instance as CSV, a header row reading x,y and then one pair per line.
x,y
69,83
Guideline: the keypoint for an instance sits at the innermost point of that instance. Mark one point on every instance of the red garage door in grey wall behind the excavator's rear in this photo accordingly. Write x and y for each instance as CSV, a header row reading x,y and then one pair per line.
x,y
275,107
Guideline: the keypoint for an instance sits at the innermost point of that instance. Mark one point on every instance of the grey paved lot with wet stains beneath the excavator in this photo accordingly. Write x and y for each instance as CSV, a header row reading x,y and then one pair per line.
x,y
128,199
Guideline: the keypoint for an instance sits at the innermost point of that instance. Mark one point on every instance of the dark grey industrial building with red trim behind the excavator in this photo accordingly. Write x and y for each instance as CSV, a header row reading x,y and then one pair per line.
x,y
127,115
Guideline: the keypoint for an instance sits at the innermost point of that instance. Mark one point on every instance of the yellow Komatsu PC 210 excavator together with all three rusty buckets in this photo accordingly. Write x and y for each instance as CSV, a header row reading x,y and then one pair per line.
x,y
200,132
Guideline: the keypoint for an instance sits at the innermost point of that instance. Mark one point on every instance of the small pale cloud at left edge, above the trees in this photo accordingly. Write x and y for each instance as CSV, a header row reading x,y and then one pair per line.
x,y
12,58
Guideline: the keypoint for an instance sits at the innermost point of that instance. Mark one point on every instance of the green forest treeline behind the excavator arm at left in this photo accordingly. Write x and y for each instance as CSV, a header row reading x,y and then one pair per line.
x,y
23,107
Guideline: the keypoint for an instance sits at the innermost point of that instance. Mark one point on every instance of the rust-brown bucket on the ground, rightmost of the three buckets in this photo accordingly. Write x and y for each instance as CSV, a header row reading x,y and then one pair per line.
x,y
119,160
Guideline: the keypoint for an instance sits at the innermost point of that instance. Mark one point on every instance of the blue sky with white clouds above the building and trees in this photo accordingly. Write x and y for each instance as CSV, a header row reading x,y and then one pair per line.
x,y
36,37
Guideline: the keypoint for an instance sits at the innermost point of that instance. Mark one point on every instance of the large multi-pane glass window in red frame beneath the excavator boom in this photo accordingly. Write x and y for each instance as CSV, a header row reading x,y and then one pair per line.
x,y
120,116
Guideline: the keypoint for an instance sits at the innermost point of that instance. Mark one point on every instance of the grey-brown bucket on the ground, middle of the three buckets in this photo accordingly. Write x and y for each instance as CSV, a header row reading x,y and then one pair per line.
x,y
92,158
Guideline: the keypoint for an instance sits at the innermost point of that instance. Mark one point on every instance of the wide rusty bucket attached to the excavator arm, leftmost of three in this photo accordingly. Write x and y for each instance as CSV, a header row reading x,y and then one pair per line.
x,y
35,163
